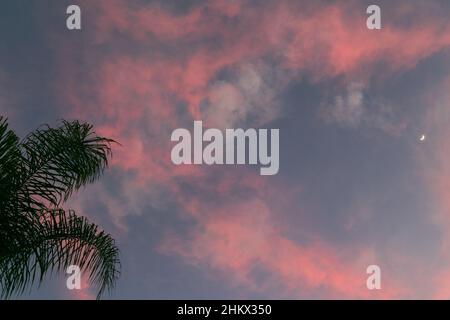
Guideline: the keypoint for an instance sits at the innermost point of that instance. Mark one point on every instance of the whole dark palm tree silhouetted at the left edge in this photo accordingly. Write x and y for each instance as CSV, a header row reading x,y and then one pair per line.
x,y
37,237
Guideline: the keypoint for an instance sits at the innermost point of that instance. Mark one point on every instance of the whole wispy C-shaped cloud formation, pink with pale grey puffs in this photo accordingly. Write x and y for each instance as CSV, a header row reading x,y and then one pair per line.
x,y
150,69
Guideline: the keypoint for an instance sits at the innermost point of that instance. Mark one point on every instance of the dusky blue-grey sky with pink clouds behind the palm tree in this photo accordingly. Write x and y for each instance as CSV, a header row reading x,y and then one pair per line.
x,y
356,186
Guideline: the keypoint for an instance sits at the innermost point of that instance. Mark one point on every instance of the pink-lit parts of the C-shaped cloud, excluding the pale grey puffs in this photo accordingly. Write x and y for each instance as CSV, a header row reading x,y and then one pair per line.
x,y
138,97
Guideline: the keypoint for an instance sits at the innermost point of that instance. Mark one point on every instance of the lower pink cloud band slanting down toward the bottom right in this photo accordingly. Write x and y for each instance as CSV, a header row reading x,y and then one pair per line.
x,y
240,240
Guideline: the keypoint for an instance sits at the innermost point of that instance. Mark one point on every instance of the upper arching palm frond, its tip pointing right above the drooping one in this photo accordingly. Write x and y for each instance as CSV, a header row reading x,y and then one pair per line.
x,y
60,161
